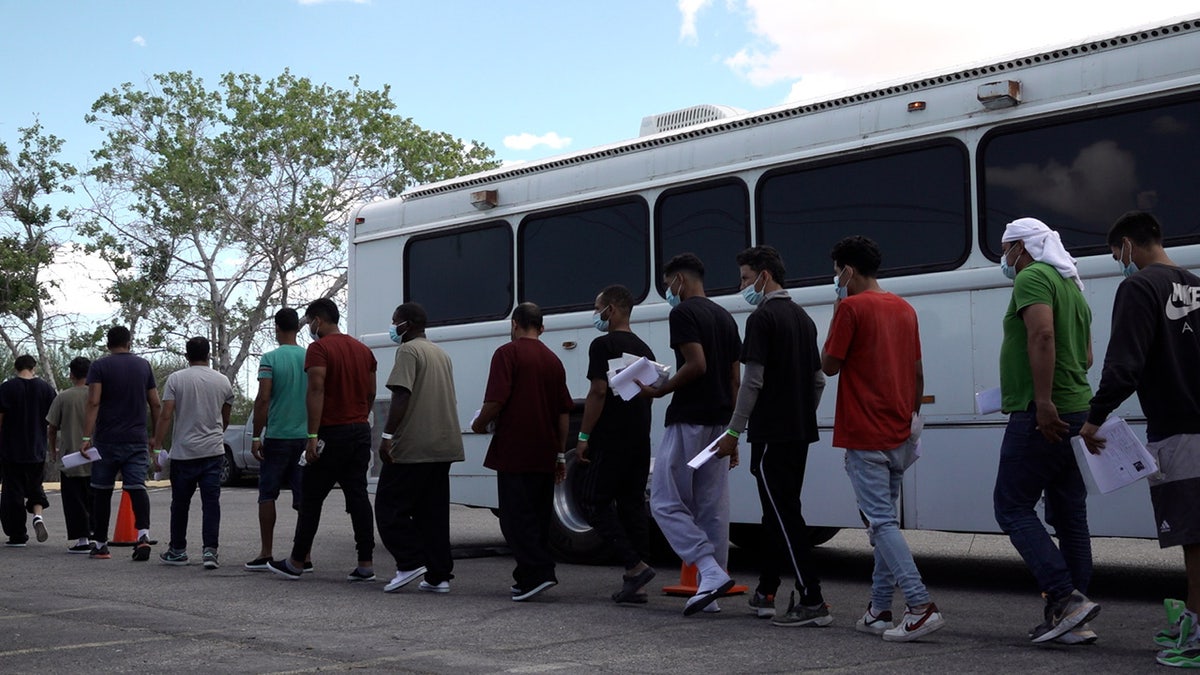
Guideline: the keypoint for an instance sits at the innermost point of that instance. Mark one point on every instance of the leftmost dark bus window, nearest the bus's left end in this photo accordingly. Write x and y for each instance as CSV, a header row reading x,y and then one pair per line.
x,y
461,276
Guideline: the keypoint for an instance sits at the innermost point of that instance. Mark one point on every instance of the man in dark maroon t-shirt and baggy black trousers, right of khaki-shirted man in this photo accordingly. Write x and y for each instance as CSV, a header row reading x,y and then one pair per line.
x,y
529,401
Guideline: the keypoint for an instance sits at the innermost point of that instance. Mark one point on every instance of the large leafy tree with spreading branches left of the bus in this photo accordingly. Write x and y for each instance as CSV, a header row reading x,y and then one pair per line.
x,y
215,207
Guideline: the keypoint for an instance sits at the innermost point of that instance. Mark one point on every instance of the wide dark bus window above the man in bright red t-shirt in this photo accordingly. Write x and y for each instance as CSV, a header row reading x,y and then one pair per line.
x,y
913,202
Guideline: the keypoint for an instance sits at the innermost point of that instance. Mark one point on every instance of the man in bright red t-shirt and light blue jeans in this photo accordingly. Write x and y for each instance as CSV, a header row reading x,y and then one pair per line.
x,y
875,347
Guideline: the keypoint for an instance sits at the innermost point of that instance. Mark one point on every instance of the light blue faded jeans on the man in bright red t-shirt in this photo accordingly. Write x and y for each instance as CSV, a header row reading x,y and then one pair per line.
x,y
877,476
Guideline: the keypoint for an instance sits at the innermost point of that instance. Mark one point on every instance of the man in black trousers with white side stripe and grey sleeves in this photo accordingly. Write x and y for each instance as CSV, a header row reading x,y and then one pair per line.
x,y
779,395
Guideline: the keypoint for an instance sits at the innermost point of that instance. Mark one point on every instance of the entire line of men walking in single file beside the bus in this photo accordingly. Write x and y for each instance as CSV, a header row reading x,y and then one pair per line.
x,y
313,410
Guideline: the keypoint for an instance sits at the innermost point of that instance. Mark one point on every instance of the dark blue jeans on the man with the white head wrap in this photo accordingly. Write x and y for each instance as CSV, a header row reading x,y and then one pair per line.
x,y
1029,467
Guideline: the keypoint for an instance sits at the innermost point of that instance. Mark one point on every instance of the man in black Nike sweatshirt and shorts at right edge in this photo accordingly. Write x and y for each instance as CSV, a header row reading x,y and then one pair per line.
x,y
1155,351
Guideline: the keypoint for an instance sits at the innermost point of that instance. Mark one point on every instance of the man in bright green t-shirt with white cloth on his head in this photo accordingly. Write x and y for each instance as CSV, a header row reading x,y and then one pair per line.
x,y
1045,357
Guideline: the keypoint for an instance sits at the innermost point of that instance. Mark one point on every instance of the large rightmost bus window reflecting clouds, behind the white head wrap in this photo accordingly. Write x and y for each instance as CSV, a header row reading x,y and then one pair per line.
x,y
1081,174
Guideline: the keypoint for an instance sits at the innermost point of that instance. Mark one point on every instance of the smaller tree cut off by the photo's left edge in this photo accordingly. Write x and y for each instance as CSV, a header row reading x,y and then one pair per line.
x,y
32,235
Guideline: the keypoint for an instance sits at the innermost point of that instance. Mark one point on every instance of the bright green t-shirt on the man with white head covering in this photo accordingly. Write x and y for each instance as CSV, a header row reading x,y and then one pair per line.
x,y
1042,284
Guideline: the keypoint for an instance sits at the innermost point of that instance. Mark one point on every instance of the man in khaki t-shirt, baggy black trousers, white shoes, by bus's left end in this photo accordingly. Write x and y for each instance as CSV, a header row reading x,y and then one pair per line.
x,y
421,439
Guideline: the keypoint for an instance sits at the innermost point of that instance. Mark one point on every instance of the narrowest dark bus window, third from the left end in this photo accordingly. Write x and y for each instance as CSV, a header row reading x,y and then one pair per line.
x,y
710,220
